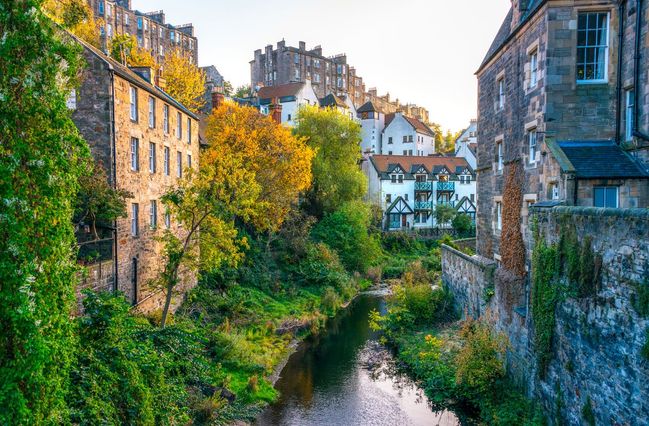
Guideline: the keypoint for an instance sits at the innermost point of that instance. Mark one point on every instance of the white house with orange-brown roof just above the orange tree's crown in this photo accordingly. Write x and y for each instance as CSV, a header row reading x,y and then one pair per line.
x,y
290,96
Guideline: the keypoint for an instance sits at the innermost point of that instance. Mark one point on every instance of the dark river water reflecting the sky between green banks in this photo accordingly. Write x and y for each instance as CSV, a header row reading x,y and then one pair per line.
x,y
344,377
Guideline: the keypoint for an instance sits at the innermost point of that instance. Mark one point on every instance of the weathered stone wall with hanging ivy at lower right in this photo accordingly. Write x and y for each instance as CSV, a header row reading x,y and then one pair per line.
x,y
596,354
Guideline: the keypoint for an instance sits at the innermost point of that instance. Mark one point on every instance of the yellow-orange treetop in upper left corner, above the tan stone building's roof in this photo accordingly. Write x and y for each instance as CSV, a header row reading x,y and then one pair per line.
x,y
77,17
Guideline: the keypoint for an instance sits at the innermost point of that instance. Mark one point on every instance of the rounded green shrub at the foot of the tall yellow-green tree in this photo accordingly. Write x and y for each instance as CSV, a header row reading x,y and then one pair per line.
x,y
346,231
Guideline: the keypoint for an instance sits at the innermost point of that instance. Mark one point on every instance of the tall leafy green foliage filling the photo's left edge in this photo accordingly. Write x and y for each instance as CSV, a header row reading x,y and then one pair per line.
x,y
41,159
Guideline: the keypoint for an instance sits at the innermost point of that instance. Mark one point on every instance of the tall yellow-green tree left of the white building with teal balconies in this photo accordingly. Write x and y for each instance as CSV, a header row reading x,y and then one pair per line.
x,y
337,177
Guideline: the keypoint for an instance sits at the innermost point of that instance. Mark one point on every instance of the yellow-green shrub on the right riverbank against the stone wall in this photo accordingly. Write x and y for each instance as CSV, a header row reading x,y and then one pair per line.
x,y
480,360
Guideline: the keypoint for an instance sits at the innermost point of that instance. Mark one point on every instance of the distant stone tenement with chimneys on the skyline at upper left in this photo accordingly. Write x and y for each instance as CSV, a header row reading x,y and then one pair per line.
x,y
150,29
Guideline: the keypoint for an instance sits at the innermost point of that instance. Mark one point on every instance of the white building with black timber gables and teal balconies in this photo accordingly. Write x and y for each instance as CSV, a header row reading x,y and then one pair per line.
x,y
409,188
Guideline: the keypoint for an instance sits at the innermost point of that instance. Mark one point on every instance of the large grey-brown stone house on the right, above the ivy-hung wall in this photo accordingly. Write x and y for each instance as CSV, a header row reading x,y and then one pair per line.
x,y
556,97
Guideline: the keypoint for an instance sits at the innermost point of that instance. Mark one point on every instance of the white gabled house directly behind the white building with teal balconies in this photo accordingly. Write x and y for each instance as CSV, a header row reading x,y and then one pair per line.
x,y
406,136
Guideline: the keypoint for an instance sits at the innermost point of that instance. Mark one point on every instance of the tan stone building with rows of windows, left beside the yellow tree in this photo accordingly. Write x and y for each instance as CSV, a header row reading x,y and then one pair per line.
x,y
146,141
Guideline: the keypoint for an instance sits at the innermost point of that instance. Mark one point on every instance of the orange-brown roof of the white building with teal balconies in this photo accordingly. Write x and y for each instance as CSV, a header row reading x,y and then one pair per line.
x,y
385,164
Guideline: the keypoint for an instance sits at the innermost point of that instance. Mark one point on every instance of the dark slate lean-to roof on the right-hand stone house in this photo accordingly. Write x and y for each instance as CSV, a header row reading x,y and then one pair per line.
x,y
596,160
